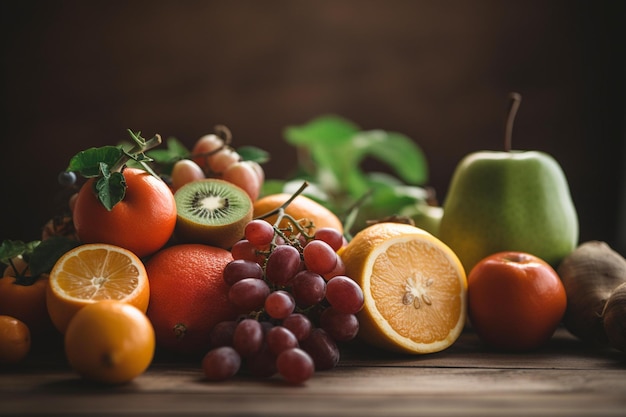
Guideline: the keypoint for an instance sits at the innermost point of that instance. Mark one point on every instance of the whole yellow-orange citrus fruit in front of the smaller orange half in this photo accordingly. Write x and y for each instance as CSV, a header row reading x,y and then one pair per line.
x,y
110,342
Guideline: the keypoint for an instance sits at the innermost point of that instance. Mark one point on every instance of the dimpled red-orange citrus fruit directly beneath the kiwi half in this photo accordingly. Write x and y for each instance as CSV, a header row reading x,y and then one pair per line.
x,y
188,295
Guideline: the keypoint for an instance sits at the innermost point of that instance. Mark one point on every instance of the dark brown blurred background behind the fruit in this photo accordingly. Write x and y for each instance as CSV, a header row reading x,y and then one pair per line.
x,y
77,74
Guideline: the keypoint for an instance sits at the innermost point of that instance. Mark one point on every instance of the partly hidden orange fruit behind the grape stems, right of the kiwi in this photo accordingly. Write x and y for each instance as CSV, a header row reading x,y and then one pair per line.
x,y
302,208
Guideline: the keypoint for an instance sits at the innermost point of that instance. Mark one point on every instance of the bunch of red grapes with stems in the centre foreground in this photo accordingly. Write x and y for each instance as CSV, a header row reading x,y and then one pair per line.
x,y
296,304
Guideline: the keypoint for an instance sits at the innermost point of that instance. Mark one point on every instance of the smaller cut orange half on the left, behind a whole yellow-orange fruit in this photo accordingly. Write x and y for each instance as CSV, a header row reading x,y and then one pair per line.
x,y
91,273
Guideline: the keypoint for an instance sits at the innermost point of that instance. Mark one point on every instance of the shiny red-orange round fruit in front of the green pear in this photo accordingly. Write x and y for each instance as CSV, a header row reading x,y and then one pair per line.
x,y
515,300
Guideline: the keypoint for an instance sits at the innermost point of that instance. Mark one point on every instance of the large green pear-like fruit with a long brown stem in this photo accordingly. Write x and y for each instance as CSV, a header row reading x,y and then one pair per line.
x,y
509,200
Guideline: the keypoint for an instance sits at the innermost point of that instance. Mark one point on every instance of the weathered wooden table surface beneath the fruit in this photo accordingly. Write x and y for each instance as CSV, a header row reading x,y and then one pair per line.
x,y
565,378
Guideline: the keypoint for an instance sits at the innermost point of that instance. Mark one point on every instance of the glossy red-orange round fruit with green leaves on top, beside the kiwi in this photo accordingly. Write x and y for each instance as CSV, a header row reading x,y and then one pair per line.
x,y
142,222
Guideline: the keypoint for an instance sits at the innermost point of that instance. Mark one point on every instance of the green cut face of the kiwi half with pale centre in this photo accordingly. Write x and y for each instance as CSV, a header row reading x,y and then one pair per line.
x,y
212,202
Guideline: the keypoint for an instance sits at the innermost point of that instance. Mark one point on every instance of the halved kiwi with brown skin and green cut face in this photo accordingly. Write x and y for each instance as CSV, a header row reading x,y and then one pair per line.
x,y
211,211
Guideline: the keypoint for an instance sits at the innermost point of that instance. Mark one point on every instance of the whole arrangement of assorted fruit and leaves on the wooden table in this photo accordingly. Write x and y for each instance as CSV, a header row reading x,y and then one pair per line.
x,y
196,253
